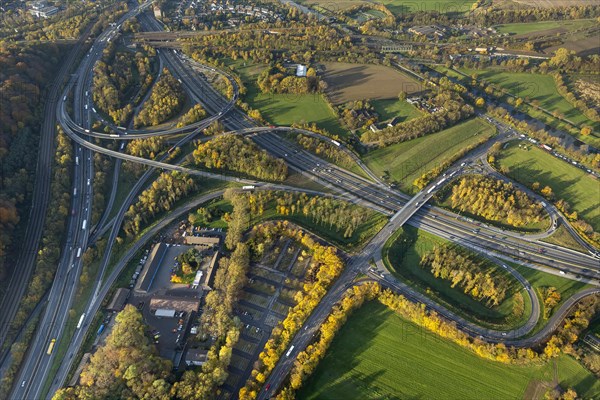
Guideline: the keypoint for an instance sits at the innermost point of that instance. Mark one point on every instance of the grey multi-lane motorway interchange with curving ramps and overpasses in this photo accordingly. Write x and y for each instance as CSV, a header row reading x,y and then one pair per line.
x,y
37,377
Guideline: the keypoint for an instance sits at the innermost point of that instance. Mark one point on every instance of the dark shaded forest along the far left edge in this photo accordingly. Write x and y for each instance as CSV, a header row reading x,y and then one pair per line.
x,y
25,73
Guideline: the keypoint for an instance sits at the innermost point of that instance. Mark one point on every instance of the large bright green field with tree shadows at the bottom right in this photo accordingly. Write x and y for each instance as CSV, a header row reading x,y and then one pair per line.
x,y
379,355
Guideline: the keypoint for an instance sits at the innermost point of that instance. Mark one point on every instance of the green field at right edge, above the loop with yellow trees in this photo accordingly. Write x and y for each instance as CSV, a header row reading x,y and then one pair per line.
x,y
579,189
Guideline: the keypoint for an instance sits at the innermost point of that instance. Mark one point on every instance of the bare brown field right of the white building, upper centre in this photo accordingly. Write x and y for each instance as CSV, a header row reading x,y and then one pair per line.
x,y
348,82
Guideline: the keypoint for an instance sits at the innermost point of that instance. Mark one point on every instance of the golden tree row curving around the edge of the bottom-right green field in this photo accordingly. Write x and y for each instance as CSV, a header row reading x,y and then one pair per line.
x,y
307,360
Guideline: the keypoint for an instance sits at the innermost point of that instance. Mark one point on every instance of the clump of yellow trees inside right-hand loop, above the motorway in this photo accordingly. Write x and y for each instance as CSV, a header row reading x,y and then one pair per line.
x,y
495,200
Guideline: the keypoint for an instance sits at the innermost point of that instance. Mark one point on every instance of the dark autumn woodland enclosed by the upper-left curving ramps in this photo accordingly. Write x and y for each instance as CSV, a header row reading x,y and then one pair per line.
x,y
121,78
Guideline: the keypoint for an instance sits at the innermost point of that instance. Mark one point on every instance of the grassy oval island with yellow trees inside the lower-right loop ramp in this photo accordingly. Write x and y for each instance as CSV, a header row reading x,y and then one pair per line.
x,y
462,281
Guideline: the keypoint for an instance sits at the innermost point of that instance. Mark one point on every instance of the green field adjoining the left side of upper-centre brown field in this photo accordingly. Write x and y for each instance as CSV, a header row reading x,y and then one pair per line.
x,y
286,109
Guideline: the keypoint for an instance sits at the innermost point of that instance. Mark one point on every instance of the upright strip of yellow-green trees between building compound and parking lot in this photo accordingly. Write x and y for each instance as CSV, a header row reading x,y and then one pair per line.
x,y
218,321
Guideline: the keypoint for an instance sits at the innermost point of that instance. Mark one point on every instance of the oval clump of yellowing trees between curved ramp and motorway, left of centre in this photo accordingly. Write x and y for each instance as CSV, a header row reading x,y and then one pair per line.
x,y
235,153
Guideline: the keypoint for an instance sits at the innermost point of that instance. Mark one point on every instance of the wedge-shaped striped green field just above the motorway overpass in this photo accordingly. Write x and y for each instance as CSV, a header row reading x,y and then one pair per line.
x,y
408,160
